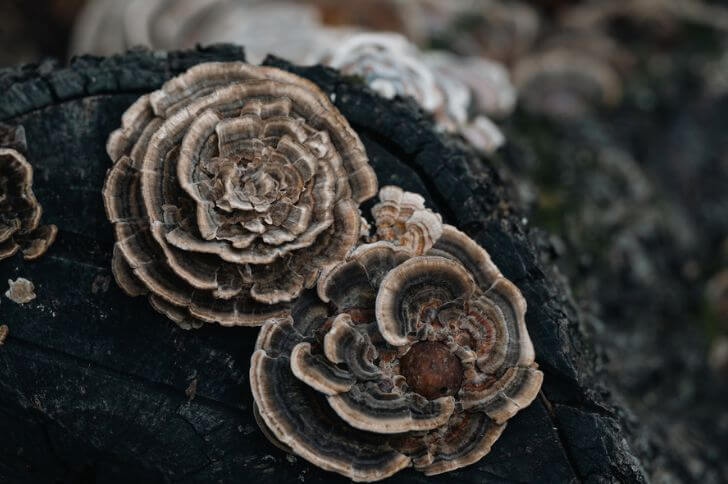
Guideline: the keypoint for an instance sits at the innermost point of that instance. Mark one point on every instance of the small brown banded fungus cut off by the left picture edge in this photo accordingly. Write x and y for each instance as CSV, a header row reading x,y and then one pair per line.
x,y
20,212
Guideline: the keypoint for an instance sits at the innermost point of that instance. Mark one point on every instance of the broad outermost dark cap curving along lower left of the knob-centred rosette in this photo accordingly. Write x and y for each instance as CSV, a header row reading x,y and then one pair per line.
x,y
299,417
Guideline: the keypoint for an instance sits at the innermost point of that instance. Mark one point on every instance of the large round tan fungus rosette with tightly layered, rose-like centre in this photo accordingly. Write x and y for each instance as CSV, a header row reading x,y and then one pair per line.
x,y
232,187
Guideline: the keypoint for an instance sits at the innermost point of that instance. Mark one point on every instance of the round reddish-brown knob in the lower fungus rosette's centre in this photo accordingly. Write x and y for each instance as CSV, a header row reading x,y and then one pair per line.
x,y
432,370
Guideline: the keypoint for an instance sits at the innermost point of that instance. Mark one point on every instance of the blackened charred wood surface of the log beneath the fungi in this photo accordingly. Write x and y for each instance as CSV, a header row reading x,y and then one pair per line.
x,y
95,386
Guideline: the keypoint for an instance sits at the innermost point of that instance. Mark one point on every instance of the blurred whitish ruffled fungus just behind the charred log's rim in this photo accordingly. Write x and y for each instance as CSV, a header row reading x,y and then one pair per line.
x,y
393,66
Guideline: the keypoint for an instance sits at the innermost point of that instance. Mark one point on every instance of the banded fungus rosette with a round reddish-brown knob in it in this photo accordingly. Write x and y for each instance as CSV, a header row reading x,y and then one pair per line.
x,y
400,361
